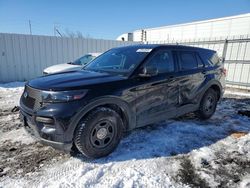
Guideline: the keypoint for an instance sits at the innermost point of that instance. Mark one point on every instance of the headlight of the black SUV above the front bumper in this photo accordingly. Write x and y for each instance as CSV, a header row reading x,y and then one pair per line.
x,y
62,96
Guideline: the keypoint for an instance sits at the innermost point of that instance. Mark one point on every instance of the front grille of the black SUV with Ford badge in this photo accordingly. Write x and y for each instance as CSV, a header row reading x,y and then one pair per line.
x,y
31,98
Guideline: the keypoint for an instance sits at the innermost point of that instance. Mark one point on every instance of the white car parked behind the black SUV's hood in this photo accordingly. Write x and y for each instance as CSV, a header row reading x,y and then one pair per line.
x,y
76,65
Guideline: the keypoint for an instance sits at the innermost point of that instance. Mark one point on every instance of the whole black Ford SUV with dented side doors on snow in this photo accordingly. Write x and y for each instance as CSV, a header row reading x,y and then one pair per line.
x,y
124,88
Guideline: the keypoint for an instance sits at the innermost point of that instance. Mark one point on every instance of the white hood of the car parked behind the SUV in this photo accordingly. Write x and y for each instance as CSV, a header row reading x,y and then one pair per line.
x,y
61,68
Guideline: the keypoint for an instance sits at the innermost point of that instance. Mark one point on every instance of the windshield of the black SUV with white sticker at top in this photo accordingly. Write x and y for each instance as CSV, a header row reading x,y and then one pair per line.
x,y
119,60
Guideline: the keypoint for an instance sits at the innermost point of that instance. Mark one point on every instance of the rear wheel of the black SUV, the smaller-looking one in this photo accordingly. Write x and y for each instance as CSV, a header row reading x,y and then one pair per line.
x,y
208,104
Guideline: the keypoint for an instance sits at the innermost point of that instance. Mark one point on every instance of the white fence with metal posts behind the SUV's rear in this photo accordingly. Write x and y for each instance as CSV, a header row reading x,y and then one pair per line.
x,y
235,51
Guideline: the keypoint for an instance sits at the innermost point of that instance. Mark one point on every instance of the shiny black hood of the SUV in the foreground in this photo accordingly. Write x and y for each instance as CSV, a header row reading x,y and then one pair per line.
x,y
72,80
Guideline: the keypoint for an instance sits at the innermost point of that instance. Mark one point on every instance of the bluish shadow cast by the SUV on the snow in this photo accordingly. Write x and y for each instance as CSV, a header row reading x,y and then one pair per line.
x,y
181,135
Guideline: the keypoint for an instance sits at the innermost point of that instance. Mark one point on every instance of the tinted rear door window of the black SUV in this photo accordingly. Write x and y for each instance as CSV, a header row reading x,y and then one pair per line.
x,y
188,61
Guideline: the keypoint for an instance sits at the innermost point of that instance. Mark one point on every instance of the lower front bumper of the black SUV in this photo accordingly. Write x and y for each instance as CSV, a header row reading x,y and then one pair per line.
x,y
46,134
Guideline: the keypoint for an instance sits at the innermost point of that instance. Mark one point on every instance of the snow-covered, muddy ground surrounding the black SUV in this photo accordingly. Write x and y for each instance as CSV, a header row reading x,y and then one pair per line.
x,y
184,152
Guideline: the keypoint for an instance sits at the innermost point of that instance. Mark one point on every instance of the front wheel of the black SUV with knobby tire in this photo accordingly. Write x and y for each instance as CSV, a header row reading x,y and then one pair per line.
x,y
99,133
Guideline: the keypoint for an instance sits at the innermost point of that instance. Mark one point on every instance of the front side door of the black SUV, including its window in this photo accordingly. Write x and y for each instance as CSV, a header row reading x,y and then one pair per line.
x,y
157,96
